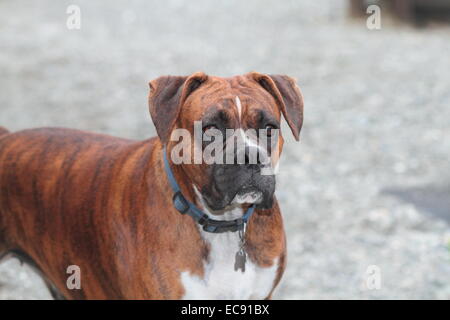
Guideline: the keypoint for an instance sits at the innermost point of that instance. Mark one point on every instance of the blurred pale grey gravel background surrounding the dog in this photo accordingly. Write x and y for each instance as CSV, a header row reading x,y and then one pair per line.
x,y
369,183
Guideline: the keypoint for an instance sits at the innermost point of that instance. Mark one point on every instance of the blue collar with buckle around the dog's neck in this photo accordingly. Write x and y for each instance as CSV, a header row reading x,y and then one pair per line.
x,y
186,207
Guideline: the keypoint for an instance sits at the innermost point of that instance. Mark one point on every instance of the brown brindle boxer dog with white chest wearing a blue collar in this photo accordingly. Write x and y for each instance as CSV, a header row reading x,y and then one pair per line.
x,y
139,226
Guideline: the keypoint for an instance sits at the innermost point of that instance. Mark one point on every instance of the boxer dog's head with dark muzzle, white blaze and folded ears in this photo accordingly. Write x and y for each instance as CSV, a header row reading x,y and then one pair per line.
x,y
234,122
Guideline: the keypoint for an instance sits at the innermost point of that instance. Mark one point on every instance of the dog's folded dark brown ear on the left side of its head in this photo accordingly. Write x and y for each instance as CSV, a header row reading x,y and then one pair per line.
x,y
167,95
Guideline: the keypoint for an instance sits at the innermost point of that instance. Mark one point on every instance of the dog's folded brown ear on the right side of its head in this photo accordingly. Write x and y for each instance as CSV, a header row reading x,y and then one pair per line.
x,y
288,96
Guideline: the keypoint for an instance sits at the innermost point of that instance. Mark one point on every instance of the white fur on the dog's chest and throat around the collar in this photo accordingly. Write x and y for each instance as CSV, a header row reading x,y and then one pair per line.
x,y
220,281
